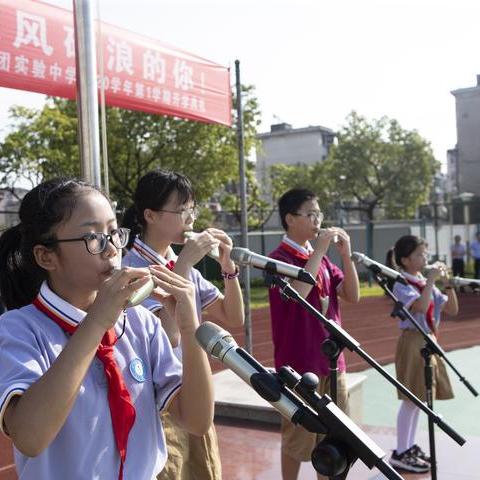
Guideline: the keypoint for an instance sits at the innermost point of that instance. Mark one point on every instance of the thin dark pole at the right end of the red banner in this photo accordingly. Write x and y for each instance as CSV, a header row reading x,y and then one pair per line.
x,y
243,203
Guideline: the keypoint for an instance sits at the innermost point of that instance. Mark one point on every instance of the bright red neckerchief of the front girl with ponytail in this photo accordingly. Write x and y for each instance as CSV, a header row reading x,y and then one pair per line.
x,y
122,410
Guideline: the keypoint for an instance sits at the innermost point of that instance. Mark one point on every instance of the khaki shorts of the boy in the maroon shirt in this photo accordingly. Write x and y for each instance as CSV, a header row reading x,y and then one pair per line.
x,y
297,442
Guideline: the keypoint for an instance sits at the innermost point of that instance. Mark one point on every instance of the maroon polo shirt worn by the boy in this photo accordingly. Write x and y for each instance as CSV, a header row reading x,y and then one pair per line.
x,y
297,335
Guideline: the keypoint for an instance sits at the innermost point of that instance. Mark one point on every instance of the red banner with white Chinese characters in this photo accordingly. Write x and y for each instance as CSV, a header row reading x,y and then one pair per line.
x,y
37,53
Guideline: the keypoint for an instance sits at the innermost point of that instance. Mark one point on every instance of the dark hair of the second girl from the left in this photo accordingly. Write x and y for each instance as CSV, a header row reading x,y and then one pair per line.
x,y
153,192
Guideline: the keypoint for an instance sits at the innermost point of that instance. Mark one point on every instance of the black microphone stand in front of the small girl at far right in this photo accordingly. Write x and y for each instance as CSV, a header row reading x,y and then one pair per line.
x,y
431,347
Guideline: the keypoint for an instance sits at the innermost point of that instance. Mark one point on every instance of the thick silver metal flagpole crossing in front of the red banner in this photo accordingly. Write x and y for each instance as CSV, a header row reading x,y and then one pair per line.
x,y
87,96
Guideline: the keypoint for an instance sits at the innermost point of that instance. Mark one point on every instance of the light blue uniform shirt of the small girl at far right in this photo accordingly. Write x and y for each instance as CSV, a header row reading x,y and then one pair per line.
x,y
407,294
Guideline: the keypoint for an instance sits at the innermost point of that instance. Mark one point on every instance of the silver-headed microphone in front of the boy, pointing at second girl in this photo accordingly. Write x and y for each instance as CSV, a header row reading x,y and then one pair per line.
x,y
243,256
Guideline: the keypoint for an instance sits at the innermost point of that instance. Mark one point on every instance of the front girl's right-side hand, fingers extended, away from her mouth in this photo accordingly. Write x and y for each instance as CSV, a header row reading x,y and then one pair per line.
x,y
183,293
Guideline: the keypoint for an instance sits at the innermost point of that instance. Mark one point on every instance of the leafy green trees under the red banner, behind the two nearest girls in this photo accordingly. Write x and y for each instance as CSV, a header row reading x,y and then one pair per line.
x,y
43,144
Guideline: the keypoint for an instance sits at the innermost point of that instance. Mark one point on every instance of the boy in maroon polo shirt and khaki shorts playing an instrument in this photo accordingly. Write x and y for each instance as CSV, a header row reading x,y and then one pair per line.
x,y
297,335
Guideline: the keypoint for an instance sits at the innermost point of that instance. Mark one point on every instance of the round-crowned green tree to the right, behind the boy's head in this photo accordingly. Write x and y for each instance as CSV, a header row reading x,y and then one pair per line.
x,y
379,163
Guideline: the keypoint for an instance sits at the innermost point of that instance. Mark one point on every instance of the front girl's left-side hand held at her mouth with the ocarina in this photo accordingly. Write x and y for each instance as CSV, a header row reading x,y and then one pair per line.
x,y
114,295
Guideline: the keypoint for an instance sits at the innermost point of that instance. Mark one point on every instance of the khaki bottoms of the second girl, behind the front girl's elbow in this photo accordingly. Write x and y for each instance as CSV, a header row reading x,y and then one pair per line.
x,y
189,457
